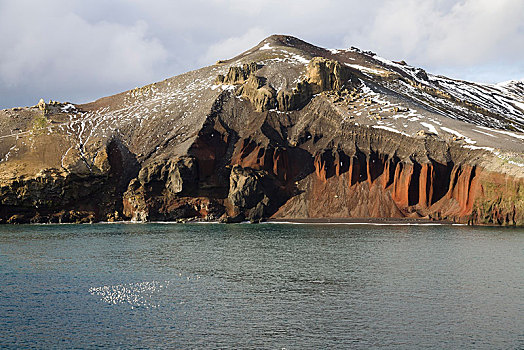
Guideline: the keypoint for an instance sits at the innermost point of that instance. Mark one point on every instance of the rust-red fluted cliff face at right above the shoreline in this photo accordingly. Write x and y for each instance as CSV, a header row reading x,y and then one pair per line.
x,y
378,186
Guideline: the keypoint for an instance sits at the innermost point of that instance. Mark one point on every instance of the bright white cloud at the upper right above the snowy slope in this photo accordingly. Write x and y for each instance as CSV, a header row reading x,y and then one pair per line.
x,y
452,33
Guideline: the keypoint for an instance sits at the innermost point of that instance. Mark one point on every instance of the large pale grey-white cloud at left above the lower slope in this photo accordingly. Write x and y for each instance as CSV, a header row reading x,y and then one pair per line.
x,y
56,51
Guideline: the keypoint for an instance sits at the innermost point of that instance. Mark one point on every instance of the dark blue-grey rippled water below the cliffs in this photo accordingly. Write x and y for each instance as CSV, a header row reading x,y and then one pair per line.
x,y
266,286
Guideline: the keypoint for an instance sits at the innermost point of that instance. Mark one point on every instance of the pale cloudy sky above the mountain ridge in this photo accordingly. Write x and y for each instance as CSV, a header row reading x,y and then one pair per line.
x,y
78,51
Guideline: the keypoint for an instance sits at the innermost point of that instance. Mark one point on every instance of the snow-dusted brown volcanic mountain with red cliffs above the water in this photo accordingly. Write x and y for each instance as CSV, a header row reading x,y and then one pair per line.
x,y
285,130
